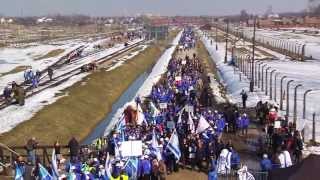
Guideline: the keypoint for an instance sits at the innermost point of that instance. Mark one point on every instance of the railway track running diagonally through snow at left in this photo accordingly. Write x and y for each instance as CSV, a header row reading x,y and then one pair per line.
x,y
47,83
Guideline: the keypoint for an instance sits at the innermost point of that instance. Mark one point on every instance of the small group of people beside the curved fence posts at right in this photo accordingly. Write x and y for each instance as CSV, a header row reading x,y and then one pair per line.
x,y
280,144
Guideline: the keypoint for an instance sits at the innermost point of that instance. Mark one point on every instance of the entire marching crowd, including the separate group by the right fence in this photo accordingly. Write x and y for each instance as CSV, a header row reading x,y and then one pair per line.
x,y
177,128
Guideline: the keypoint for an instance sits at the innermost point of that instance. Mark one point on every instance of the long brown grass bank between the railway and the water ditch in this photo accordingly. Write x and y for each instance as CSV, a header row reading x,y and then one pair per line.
x,y
86,105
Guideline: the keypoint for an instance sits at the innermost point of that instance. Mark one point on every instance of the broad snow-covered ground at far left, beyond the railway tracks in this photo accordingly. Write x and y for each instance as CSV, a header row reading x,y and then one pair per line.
x,y
15,57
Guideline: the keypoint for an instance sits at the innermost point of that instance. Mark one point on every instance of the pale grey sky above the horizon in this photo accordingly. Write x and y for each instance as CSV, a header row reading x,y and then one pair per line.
x,y
132,7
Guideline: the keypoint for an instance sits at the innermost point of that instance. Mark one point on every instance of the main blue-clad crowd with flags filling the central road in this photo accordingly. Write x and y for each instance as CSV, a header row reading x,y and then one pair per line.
x,y
175,124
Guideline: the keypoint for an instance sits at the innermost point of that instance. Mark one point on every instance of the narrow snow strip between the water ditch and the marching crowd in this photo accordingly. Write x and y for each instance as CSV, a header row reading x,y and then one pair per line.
x,y
159,68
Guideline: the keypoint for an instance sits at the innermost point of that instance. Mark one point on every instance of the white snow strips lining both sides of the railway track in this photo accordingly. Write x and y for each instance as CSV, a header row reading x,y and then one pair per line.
x,y
14,115
